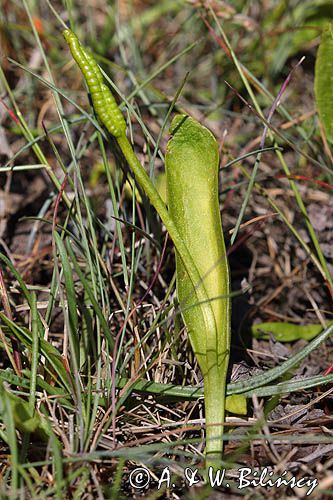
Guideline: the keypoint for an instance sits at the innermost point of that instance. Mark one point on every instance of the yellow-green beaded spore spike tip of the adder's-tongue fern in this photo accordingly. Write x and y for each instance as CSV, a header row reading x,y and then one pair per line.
x,y
104,103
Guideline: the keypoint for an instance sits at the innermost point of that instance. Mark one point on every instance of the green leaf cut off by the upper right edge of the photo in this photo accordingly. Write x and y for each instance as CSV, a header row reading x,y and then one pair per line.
x,y
323,85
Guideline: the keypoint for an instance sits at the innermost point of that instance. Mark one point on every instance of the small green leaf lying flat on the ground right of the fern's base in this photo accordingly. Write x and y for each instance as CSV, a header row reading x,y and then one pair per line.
x,y
286,332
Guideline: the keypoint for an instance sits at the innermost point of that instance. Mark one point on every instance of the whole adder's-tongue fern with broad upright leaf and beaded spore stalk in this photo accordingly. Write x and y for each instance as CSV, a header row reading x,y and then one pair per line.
x,y
194,224
